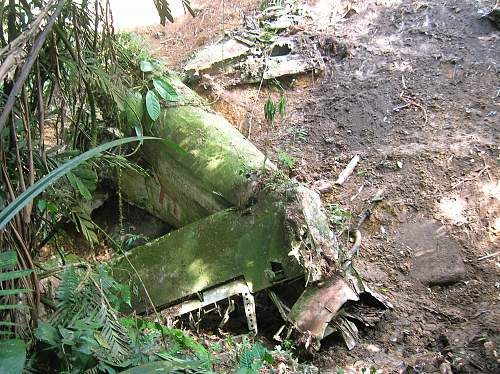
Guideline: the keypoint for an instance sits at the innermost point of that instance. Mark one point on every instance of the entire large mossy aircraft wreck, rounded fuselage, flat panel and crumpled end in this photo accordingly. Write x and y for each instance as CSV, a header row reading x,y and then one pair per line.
x,y
242,227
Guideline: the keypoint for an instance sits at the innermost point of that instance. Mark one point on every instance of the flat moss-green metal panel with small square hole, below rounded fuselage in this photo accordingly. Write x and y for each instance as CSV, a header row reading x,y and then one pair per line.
x,y
229,244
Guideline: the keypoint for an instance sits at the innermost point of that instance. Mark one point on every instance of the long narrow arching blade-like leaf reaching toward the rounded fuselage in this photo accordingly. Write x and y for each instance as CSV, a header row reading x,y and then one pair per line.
x,y
27,196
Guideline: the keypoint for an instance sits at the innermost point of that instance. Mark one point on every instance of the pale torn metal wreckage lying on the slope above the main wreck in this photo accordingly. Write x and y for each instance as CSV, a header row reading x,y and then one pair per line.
x,y
270,45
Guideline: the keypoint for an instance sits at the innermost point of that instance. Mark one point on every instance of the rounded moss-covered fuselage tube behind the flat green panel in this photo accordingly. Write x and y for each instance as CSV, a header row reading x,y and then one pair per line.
x,y
203,166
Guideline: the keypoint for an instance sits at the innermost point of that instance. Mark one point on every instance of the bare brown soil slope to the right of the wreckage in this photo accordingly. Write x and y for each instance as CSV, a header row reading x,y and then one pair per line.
x,y
415,93
